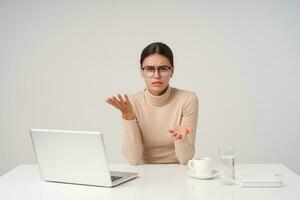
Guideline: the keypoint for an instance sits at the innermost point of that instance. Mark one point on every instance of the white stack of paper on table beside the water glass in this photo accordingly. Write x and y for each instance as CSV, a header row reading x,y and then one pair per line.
x,y
260,180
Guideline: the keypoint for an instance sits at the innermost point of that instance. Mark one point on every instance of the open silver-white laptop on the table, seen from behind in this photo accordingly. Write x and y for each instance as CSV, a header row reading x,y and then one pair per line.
x,y
76,157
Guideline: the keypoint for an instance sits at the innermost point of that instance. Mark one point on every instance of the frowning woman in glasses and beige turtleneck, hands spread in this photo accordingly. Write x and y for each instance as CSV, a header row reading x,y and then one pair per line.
x,y
159,122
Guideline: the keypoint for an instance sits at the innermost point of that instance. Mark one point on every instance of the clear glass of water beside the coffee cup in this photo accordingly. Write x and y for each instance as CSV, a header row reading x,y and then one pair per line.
x,y
227,159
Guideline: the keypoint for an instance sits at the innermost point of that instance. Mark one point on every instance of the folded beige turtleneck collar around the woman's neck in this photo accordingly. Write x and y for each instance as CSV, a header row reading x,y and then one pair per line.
x,y
159,100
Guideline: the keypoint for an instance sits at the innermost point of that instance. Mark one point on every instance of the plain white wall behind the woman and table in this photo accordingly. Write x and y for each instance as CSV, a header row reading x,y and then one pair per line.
x,y
60,60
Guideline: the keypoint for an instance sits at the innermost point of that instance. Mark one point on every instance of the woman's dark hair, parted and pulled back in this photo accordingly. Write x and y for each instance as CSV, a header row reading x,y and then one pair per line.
x,y
159,48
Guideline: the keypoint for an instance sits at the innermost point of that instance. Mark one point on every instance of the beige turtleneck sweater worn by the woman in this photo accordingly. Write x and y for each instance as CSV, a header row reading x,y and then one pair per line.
x,y
146,139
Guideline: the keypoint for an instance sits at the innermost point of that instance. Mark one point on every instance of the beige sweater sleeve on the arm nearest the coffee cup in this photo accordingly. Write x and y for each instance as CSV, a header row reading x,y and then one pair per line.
x,y
185,150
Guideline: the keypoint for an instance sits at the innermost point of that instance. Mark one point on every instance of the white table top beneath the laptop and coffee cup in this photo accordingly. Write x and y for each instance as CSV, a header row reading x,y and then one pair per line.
x,y
165,181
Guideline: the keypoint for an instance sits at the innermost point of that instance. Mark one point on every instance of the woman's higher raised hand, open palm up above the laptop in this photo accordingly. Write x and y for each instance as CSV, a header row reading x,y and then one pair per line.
x,y
123,104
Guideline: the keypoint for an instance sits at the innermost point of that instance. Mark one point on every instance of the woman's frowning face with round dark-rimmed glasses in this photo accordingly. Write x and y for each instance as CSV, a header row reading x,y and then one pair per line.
x,y
160,79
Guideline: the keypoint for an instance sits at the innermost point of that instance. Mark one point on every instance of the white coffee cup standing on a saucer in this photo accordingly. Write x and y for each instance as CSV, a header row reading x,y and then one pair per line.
x,y
202,166
